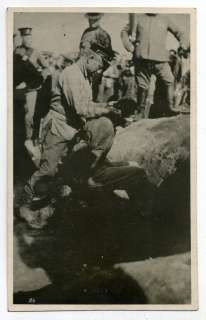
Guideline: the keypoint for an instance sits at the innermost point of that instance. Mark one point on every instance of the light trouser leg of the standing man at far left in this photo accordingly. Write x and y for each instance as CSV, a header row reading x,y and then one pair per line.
x,y
29,107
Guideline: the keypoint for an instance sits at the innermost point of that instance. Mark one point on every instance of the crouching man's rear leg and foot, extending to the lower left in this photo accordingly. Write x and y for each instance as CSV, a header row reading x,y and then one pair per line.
x,y
36,213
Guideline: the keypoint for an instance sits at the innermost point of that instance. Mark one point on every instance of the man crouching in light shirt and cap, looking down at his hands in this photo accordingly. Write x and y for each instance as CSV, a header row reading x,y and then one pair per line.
x,y
73,114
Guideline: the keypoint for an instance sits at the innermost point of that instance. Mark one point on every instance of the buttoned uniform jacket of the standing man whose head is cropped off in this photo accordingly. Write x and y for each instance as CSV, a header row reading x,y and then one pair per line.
x,y
146,35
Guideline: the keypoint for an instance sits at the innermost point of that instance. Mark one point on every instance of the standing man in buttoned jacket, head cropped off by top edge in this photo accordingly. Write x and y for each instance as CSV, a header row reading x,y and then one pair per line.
x,y
145,36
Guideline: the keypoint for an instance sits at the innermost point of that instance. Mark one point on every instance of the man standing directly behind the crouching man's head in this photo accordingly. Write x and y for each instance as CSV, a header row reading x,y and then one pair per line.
x,y
95,34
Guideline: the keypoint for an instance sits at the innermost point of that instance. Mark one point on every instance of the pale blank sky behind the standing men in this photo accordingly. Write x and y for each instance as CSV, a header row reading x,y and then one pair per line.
x,y
61,32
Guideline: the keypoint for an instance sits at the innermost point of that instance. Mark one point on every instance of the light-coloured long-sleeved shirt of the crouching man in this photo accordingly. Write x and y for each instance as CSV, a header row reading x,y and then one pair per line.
x,y
72,98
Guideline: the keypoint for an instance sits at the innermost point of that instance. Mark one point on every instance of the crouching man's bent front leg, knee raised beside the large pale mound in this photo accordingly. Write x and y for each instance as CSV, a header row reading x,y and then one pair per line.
x,y
110,175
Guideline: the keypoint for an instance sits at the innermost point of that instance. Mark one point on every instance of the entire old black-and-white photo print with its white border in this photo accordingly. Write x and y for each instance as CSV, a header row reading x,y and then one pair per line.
x,y
101,198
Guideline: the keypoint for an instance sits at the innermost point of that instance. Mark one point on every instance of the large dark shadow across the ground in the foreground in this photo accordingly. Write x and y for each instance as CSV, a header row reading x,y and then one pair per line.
x,y
81,241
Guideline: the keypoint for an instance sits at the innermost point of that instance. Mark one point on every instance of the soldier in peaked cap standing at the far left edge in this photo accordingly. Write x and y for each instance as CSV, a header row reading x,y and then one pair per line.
x,y
26,51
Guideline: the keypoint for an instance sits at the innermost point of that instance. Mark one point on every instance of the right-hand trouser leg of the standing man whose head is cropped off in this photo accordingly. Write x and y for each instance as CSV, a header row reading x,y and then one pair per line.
x,y
164,73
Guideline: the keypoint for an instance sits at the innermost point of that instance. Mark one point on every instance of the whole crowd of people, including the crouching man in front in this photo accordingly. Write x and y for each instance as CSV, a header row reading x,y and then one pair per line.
x,y
67,107
